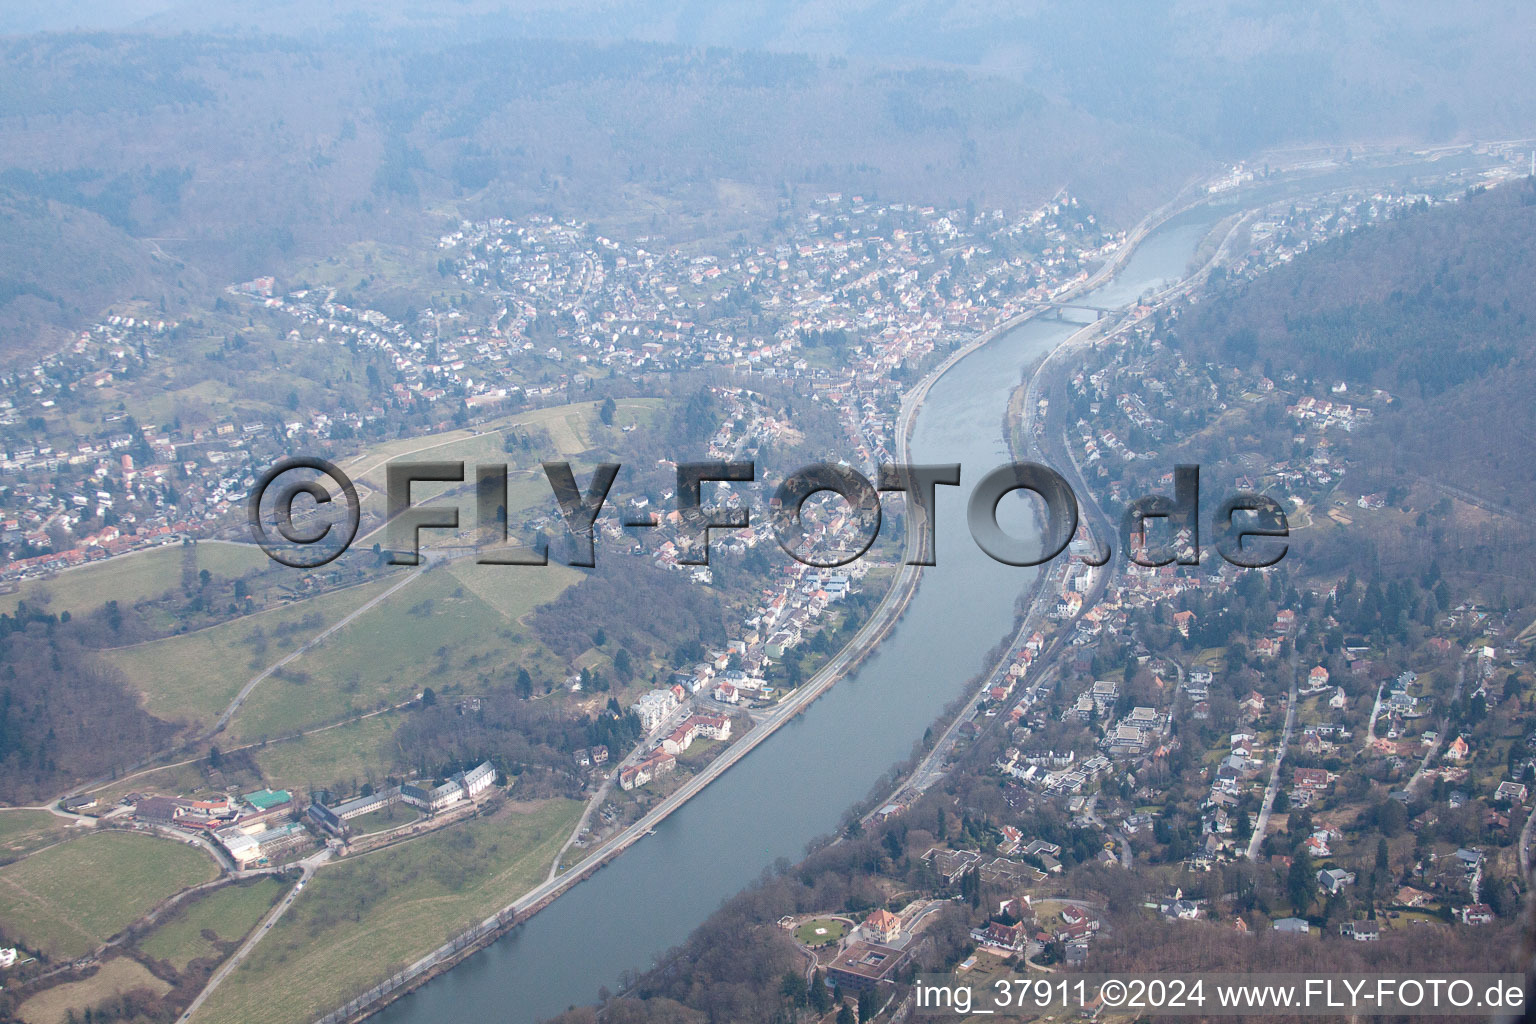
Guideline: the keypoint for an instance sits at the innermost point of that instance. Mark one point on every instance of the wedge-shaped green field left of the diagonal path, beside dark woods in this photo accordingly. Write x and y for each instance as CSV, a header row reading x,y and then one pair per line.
x,y
193,678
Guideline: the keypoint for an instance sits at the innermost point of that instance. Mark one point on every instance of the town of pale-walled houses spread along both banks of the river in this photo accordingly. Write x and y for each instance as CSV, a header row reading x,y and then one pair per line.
x,y
1256,750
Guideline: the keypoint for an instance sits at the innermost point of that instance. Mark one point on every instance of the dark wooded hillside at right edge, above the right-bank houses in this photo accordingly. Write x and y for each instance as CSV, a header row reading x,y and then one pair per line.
x,y
1437,308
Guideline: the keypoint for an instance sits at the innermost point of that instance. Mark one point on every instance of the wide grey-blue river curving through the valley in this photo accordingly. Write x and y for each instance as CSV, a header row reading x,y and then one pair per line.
x,y
799,782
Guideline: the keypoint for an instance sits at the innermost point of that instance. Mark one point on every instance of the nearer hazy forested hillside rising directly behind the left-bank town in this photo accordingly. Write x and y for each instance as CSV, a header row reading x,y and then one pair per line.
x,y
223,159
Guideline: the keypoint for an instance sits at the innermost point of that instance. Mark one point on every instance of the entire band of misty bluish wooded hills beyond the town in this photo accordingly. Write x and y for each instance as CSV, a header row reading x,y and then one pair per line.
x,y
162,150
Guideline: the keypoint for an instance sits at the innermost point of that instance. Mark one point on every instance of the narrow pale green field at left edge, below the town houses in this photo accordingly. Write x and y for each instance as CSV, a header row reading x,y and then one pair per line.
x,y
131,578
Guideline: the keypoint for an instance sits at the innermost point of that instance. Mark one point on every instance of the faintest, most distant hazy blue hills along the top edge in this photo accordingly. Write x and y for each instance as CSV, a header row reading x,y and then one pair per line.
x,y
1231,76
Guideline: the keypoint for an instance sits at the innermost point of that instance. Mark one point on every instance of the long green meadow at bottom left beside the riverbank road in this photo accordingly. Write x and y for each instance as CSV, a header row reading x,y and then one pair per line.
x,y
360,920
